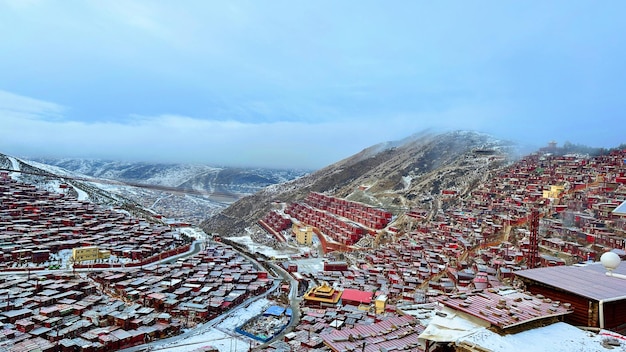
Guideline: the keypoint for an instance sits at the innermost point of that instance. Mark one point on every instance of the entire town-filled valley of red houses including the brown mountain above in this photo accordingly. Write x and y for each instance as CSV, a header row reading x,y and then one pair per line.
x,y
387,249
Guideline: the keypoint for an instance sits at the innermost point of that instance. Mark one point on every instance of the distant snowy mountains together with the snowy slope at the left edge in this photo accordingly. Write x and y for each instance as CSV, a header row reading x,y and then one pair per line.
x,y
182,191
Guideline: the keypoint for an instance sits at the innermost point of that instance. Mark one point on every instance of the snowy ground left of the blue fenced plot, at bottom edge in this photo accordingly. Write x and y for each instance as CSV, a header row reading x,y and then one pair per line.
x,y
223,335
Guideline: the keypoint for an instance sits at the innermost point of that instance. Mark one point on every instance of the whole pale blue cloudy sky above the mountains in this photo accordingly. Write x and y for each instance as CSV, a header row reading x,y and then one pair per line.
x,y
302,84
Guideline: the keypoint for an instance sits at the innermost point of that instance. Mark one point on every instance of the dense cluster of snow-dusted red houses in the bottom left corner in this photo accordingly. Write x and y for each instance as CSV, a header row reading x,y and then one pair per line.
x,y
59,312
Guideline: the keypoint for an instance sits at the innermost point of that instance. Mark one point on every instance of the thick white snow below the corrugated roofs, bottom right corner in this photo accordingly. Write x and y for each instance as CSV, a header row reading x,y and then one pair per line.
x,y
558,337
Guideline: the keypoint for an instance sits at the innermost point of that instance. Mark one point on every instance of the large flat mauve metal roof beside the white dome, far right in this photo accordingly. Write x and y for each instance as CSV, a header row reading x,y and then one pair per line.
x,y
588,281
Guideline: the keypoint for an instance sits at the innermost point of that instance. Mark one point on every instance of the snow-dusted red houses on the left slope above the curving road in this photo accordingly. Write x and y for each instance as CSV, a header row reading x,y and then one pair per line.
x,y
34,224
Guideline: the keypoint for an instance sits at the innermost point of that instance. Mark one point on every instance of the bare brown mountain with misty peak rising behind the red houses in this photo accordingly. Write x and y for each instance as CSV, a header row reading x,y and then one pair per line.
x,y
400,175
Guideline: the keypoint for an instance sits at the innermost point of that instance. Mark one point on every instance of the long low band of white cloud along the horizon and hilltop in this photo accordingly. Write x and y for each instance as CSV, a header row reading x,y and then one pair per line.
x,y
32,127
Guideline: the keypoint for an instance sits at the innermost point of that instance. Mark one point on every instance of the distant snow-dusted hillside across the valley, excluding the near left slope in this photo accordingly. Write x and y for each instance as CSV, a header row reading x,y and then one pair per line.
x,y
188,192
